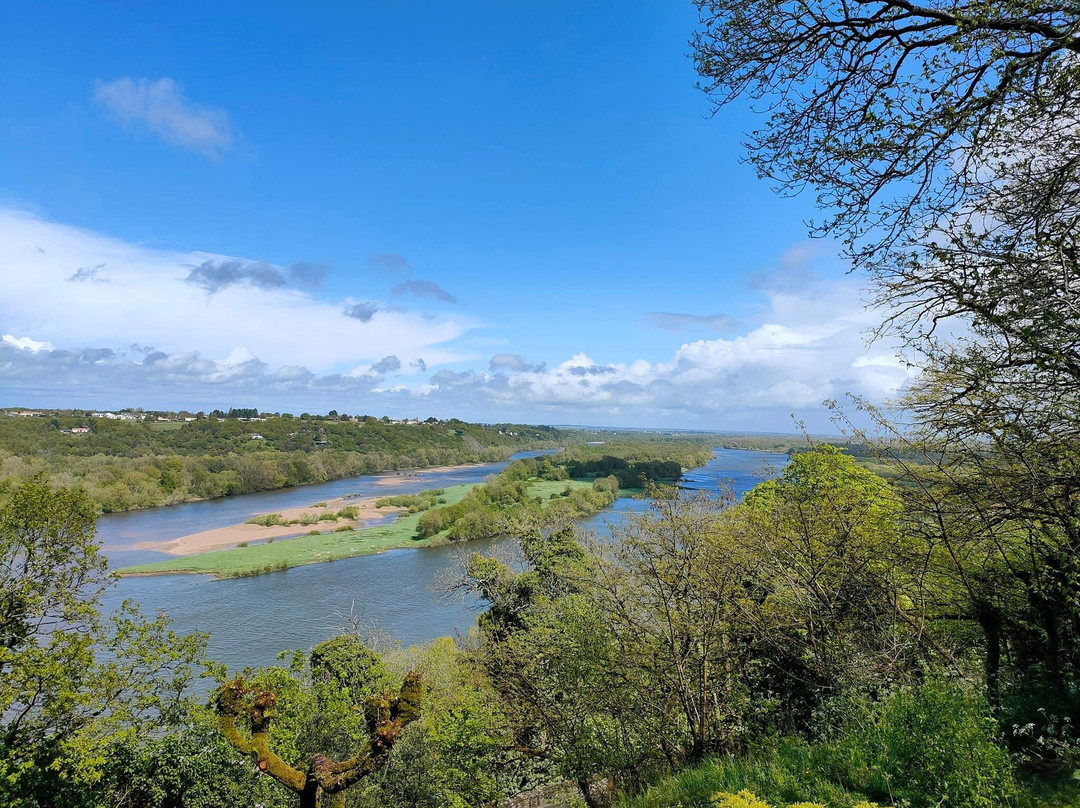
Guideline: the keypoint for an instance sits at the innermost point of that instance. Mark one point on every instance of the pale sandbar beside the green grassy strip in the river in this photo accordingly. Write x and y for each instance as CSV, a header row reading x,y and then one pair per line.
x,y
234,535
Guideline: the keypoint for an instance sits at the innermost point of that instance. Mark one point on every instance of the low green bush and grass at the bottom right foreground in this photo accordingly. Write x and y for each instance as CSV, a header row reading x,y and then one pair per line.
x,y
935,746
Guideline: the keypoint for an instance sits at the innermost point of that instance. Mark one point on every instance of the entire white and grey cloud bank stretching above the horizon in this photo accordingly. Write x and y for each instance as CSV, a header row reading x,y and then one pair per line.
x,y
88,320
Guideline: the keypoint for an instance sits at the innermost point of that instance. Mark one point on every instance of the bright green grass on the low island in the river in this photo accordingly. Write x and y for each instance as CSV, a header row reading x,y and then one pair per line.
x,y
286,554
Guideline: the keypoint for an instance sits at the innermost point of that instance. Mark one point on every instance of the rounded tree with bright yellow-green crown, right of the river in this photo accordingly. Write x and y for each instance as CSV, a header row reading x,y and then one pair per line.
x,y
840,603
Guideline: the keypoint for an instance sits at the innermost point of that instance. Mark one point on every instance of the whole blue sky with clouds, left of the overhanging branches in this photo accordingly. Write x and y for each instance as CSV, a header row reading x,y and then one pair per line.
x,y
494,211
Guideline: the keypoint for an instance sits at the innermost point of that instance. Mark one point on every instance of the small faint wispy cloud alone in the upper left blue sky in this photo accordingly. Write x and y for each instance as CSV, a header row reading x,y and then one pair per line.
x,y
160,107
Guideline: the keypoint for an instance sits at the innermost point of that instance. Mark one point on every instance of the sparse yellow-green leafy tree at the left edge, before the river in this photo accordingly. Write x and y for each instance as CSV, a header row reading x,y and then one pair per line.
x,y
72,683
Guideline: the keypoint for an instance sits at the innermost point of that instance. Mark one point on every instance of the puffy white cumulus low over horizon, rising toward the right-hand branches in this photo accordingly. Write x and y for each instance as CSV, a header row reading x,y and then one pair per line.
x,y
798,358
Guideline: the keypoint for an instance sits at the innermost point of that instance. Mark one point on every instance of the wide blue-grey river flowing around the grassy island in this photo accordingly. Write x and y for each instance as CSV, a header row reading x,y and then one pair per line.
x,y
250,621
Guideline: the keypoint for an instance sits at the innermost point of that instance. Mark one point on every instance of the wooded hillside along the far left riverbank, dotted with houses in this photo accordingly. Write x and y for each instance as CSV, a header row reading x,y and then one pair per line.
x,y
126,466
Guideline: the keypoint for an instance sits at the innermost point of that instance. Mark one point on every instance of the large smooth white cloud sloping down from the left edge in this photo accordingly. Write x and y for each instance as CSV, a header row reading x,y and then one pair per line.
x,y
159,299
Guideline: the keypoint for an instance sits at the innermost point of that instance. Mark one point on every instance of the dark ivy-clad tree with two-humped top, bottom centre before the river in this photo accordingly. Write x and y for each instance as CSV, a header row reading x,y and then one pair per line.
x,y
547,651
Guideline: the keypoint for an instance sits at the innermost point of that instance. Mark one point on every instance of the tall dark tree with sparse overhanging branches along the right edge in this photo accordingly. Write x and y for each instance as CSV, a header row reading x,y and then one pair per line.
x,y
942,141
